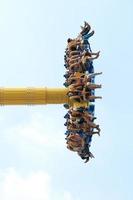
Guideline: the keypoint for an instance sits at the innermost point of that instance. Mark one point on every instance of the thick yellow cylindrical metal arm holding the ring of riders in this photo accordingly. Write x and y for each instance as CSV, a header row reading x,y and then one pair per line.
x,y
33,96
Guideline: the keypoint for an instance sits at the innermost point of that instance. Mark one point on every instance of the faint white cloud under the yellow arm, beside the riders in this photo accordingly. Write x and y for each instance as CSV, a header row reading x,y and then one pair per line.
x,y
37,131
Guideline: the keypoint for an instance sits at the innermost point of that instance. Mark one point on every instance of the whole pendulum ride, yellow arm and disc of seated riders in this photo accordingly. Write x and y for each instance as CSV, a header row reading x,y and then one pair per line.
x,y
78,96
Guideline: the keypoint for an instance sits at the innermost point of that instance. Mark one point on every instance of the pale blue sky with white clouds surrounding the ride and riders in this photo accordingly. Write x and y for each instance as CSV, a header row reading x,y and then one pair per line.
x,y
34,162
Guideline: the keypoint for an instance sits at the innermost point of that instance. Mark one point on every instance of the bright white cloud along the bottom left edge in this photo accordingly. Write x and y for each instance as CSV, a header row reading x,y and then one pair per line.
x,y
35,186
